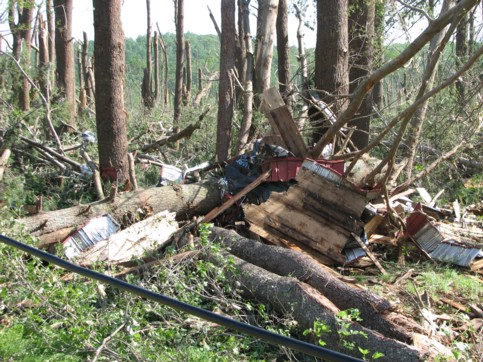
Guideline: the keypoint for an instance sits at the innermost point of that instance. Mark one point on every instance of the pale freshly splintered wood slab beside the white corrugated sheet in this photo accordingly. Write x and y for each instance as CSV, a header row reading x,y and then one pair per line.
x,y
133,242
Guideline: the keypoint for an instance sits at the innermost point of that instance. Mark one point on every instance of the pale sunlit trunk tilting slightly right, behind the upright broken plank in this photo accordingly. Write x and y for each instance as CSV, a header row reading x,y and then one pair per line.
x,y
266,21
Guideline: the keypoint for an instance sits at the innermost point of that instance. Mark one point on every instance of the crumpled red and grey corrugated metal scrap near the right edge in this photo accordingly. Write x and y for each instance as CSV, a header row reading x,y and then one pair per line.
x,y
439,245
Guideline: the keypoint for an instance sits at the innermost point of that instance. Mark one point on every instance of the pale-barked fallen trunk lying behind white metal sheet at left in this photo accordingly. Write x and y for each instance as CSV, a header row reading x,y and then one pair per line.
x,y
184,200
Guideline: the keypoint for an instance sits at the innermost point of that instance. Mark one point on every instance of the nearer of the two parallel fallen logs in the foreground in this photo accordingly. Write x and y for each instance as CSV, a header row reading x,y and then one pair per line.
x,y
288,296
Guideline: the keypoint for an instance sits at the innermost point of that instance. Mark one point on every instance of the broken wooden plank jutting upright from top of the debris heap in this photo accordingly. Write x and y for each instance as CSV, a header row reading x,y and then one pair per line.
x,y
283,123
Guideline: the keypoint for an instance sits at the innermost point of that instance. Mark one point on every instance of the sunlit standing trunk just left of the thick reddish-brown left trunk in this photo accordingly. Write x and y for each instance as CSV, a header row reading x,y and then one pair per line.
x,y
64,50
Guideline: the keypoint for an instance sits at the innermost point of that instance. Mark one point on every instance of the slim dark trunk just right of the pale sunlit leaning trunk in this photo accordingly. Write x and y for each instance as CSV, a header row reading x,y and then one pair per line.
x,y
283,50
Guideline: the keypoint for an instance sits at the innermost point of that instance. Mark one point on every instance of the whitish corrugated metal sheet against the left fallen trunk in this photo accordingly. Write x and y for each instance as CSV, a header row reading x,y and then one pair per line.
x,y
97,229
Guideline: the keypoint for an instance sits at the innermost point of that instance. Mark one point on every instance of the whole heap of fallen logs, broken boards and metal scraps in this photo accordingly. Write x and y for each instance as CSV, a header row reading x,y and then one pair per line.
x,y
279,195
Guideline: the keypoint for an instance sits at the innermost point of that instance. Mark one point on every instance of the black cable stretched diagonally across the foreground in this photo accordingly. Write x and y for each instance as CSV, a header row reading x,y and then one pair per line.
x,y
270,337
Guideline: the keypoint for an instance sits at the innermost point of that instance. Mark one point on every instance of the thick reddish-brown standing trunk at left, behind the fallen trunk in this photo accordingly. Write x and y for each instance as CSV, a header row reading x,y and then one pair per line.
x,y
109,74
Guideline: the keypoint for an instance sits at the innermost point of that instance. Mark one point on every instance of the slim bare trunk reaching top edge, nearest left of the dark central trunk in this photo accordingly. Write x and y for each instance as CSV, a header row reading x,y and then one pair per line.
x,y
178,91
